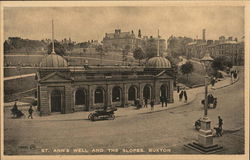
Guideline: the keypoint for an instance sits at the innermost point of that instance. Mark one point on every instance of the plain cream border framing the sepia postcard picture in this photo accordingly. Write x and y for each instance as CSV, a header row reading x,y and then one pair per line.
x,y
137,3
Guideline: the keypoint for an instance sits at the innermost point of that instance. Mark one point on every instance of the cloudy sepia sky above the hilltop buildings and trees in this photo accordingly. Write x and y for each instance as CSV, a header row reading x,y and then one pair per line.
x,y
91,23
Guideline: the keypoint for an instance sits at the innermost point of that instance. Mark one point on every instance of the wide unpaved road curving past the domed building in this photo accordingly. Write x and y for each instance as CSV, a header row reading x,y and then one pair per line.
x,y
168,129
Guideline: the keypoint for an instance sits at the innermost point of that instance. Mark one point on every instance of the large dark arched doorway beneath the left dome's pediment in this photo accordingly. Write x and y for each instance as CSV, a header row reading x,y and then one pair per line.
x,y
56,101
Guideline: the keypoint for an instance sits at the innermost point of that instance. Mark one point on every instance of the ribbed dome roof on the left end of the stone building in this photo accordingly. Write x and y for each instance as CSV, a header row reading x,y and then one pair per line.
x,y
53,60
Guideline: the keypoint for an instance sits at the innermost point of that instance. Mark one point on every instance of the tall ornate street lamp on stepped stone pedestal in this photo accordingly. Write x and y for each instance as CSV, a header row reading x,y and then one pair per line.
x,y
205,136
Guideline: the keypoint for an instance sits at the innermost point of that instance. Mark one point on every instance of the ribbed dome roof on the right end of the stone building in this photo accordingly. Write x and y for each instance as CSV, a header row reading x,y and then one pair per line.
x,y
158,62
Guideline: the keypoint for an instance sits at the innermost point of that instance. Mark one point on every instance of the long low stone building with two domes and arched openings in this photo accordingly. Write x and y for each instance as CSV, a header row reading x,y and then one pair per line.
x,y
63,90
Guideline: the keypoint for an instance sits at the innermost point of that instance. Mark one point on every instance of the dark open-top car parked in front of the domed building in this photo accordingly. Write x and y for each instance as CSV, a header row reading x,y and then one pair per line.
x,y
102,114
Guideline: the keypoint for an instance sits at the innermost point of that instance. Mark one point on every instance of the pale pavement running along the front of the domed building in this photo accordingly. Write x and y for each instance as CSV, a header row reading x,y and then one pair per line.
x,y
121,112
